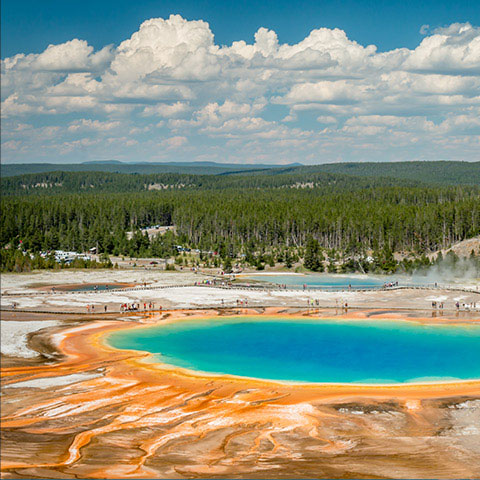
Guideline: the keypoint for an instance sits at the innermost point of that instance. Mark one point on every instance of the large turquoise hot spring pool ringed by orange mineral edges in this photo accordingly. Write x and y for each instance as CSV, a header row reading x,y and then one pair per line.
x,y
313,351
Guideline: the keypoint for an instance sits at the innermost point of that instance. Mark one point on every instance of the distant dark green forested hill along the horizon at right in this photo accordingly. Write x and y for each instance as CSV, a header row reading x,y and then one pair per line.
x,y
434,173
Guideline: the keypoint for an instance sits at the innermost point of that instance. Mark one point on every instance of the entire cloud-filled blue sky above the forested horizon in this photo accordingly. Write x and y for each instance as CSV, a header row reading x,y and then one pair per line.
x,y
266,82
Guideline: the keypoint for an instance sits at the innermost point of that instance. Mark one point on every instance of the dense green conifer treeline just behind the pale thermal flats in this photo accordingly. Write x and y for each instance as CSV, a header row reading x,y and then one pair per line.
x,y
249,221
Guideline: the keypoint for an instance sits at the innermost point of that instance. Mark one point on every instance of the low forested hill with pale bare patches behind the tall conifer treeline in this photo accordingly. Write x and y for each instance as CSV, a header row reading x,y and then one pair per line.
x,y
103,182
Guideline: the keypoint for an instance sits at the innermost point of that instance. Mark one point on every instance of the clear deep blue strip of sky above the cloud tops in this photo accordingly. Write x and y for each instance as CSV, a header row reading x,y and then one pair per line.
x,y
30,26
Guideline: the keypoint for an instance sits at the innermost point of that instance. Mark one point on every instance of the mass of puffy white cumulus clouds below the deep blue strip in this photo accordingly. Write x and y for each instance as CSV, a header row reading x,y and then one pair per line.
x,y
323,98
